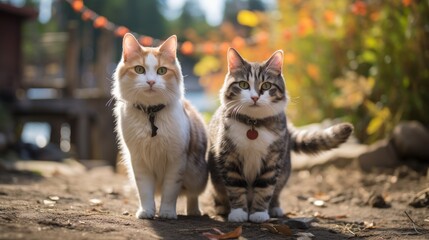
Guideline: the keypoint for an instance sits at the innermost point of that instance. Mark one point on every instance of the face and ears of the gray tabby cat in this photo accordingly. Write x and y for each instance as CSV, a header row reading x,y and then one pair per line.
x,y
254,89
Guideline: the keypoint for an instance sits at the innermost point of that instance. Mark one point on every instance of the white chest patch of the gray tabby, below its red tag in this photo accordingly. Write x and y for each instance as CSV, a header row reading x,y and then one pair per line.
x,y
251,151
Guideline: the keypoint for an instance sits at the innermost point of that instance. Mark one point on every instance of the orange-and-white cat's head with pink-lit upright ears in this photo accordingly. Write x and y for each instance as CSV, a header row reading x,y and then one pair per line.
x,y
148,75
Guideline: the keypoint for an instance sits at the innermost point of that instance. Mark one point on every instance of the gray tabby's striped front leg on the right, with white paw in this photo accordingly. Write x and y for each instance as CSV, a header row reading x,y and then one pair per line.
x,y
263,189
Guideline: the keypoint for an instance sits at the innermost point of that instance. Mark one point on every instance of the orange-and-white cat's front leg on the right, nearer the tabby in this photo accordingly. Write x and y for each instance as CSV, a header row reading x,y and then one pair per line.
x,y
173,180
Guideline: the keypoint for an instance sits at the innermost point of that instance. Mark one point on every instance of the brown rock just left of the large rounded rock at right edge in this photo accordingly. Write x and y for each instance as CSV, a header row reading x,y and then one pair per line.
x,y
381,154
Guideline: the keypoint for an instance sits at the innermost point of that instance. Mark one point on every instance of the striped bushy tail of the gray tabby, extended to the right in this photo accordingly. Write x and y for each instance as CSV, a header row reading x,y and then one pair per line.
x,y
315,141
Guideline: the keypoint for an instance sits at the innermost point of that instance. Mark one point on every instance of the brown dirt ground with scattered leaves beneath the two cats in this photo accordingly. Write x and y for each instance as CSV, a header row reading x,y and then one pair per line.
x,y
100,204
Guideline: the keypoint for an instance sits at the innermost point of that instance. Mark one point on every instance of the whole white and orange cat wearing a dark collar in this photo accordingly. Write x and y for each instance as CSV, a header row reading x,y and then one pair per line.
x,y
161,136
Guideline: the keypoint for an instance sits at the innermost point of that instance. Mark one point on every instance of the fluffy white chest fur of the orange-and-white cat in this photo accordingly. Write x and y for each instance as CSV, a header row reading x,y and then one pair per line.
x,y
154,153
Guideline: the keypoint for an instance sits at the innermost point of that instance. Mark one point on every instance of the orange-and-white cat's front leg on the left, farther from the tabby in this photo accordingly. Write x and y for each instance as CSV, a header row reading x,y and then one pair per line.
x,y
146,188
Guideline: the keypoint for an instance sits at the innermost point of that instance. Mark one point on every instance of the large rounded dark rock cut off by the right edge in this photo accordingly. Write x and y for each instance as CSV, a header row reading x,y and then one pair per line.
x,y
411,140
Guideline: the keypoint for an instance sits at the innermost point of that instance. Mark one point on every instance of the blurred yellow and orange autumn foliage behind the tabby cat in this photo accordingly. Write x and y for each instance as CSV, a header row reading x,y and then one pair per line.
x,y
365,60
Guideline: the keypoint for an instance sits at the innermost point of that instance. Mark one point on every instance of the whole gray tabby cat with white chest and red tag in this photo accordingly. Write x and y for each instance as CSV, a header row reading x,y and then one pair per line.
x,y
250,140
